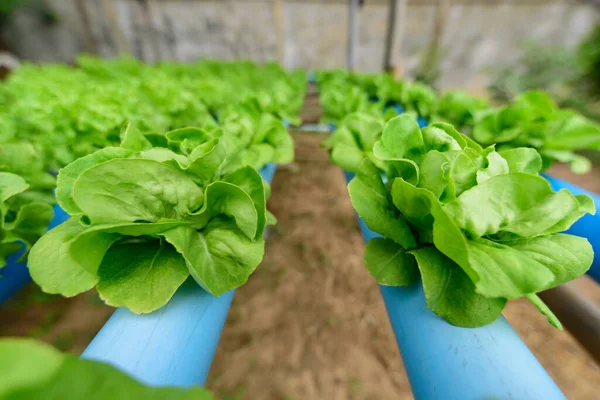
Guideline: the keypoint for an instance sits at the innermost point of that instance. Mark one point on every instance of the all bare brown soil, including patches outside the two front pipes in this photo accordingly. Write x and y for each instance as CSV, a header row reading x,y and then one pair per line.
x,y
310,323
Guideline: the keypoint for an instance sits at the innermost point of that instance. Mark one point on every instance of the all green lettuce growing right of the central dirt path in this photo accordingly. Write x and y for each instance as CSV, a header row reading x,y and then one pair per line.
x,y
468,217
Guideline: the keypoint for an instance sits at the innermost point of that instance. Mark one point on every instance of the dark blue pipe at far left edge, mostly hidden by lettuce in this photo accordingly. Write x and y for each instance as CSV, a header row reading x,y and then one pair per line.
x,y
14,275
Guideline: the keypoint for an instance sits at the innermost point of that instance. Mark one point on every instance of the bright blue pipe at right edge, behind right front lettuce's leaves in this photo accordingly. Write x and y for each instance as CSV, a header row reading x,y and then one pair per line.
x,y
588,226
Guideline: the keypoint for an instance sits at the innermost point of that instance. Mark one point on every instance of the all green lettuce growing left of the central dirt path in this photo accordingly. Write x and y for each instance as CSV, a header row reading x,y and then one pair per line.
x,y
158,168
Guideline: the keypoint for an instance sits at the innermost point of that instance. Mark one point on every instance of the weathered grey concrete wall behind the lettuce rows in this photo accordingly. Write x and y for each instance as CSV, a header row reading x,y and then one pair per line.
x,y
477,33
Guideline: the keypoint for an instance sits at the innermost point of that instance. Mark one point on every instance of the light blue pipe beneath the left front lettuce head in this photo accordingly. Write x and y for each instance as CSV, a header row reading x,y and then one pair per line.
x,y
173,346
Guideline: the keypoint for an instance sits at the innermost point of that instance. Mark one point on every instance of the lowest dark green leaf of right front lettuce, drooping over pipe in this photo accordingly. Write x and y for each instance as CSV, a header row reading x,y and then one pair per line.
x,y
450,293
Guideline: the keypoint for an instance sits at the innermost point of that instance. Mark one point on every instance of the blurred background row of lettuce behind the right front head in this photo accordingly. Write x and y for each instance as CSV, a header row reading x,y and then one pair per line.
x,y
532,119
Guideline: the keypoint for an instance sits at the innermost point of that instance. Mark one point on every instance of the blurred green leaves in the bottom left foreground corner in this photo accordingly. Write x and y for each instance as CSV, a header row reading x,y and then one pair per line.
x,y
33,370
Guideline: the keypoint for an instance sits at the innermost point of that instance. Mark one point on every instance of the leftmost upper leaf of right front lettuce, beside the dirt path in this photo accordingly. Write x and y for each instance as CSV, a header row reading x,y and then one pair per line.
x,y
370,200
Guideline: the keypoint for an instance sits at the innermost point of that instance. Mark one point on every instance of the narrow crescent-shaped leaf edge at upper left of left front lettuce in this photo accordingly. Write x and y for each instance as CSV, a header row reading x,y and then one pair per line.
x,y
69,174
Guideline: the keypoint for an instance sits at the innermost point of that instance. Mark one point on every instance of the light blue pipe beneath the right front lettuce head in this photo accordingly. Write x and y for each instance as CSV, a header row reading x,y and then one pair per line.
x,y
446,362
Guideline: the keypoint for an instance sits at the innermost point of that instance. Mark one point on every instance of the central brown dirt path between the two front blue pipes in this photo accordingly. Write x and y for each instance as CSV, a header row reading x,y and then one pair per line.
x,y
310,323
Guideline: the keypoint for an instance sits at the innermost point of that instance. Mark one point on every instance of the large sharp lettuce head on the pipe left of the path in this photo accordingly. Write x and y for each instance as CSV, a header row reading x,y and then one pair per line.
x,y
145,218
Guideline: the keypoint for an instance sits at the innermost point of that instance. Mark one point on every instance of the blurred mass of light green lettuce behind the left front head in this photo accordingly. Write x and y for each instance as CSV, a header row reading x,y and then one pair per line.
x,y
67,113
